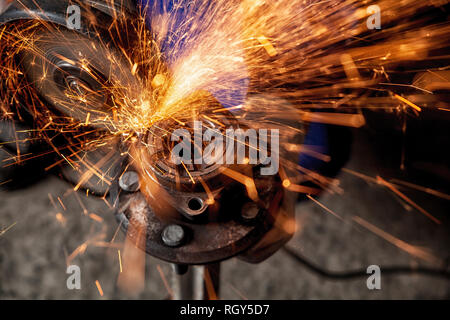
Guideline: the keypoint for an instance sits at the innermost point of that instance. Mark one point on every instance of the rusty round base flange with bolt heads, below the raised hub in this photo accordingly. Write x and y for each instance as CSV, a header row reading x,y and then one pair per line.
x,y
221,233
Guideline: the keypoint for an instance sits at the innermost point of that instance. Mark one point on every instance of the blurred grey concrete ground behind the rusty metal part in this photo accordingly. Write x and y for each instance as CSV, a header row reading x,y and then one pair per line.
x,y
33,251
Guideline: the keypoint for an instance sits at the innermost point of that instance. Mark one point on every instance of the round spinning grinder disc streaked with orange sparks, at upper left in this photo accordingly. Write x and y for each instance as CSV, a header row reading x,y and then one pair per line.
x,y
74,74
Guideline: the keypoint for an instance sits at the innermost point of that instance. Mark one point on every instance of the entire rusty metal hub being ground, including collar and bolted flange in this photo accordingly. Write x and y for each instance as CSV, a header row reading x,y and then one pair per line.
x,y
212,225
